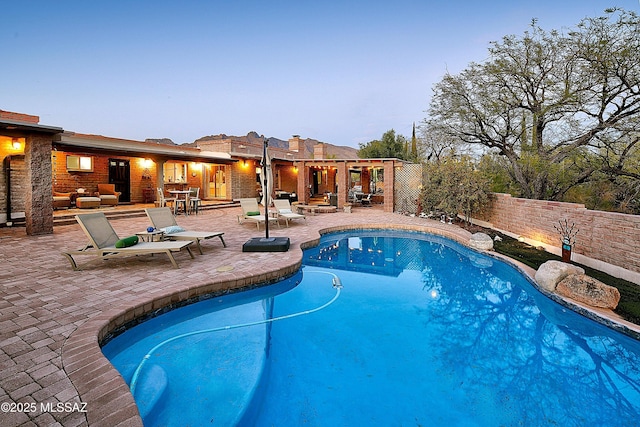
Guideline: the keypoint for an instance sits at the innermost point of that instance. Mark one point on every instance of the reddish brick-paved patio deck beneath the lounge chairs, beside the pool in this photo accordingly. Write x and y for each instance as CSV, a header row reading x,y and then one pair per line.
x,y
52,318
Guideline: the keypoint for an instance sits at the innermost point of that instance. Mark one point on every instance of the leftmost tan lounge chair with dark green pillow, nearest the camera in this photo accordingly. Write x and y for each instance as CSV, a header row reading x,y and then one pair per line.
x,y
103,241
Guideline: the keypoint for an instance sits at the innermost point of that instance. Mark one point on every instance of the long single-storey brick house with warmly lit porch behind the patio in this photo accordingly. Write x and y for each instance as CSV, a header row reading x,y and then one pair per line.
x,y
41,161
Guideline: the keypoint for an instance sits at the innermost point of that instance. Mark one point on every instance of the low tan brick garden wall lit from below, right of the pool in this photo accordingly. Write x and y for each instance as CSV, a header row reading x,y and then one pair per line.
x,y
609,237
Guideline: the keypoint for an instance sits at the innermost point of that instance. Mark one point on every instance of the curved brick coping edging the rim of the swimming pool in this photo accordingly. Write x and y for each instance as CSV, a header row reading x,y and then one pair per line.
x,y
99,384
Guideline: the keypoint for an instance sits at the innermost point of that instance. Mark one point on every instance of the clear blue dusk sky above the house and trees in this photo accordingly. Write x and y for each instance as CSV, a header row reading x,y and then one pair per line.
x,y
342,72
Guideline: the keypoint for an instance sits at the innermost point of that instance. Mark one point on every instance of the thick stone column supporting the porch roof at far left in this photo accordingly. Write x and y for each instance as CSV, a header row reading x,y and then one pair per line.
x,y
38,193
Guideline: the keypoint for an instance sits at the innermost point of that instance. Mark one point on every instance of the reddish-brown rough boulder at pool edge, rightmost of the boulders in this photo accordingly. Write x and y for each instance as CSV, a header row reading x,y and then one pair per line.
x,y
588,290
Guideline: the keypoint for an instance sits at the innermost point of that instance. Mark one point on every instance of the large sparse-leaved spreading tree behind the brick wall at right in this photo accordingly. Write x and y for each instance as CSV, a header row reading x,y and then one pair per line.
x,y
558,107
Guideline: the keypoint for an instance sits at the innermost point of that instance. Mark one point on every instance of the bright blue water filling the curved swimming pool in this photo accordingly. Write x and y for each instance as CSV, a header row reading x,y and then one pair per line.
x,y
424,332
